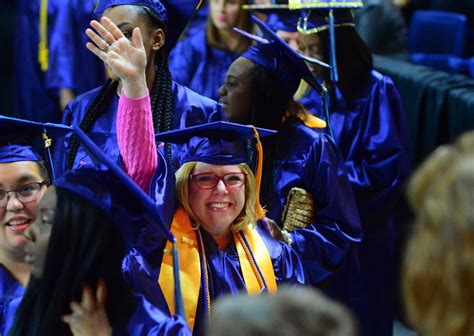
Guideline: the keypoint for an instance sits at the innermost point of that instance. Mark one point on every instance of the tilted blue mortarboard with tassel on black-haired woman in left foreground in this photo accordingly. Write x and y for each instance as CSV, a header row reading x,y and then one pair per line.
x,y
132,197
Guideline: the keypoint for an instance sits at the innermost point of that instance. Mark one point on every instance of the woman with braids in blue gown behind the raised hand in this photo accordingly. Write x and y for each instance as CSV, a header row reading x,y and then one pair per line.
x,y
173,106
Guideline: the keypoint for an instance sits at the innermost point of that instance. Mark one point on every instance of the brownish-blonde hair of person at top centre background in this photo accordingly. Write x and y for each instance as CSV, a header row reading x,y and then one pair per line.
x,y
213,37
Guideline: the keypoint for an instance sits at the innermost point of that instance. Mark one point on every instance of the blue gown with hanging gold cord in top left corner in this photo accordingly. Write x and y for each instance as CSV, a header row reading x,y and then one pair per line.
x,y
36,92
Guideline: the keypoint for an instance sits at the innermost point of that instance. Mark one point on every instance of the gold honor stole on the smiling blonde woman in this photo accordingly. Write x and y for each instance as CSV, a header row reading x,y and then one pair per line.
x,y
255,263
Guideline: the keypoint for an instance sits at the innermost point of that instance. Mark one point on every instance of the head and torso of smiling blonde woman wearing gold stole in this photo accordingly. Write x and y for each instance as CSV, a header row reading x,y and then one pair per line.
x,y
222,248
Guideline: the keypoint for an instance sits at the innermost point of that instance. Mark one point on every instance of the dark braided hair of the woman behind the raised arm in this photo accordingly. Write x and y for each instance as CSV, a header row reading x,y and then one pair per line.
x,y
162,102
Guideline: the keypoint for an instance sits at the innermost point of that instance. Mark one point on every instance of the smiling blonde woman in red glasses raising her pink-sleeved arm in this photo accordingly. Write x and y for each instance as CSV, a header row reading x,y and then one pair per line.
x,y
222,250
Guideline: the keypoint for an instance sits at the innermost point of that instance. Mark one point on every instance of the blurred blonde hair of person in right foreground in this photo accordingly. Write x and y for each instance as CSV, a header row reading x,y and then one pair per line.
x,y
438,271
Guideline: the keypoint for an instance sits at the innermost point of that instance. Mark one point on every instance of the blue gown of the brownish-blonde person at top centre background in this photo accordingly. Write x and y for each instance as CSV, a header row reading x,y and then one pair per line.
x,y
195,64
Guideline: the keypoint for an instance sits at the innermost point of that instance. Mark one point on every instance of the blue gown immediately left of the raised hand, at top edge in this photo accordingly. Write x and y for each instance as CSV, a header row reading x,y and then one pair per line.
x,y
89,71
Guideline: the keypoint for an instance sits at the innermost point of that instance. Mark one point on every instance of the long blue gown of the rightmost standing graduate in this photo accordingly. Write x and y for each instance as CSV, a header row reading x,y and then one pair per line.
x,y
371,133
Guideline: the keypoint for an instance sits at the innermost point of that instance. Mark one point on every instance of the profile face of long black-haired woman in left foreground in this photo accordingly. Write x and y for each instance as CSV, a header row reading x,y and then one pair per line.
x,y
39,232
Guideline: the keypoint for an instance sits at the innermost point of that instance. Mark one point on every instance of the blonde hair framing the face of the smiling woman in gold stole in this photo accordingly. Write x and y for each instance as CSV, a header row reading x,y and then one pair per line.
x,y
248,215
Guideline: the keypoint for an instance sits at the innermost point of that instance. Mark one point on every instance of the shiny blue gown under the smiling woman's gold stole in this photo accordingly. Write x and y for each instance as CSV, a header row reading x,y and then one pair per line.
x,y
224,271
